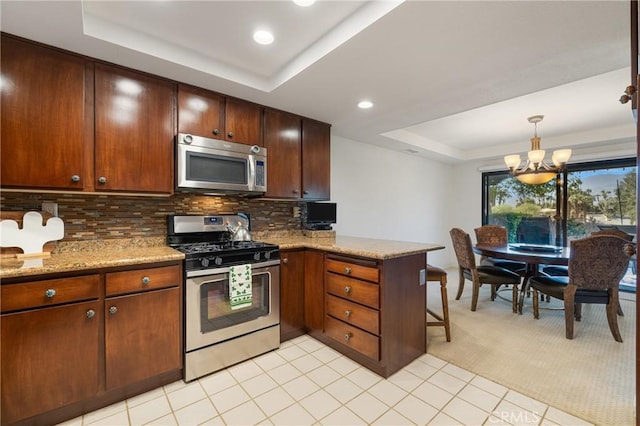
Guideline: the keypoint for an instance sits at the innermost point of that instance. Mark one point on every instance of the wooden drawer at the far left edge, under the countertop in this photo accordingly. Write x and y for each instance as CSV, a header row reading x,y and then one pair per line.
x,y
48,292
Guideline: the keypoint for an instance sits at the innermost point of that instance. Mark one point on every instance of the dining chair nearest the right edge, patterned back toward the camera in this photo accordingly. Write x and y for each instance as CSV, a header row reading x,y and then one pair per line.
x,y
596,265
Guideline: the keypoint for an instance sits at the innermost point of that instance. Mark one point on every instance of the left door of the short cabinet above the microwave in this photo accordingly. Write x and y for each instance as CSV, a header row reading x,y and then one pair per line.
x,y
200,112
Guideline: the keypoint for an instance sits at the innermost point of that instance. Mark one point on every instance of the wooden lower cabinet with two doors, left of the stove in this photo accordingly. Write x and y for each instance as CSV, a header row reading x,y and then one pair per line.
x,y
68,349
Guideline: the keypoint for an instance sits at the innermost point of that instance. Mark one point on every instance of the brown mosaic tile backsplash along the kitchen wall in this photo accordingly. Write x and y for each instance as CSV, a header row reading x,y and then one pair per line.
x,y
92,217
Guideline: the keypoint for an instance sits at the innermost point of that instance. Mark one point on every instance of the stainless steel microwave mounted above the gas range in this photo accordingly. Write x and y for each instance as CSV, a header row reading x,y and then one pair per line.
x,y
220,167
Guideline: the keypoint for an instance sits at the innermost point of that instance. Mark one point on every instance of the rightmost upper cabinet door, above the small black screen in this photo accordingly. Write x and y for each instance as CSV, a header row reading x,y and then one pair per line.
x,y
316,159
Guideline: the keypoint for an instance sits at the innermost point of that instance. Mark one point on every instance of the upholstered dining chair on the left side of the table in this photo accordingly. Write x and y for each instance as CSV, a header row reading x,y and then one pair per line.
x,y
479,275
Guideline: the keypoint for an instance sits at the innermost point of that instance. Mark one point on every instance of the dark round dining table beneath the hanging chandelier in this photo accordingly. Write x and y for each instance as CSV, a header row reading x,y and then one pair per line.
x,y
533,255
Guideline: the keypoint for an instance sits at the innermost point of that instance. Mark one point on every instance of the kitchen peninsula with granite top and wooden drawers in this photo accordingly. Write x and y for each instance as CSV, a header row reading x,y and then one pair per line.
x,y
364,297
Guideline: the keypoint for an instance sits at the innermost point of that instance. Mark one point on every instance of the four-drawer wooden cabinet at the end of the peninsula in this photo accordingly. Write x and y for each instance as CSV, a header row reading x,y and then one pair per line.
x,y
374,310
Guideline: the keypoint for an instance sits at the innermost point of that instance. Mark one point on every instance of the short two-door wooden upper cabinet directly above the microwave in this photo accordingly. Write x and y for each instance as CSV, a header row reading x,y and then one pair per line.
x,y
212,115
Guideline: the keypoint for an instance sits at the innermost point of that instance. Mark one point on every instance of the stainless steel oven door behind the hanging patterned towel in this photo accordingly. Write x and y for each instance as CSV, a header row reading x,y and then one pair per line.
x,y
210,319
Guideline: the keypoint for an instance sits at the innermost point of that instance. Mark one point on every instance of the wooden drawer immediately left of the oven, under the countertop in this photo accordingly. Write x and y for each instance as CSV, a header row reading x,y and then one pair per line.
x,y
142,279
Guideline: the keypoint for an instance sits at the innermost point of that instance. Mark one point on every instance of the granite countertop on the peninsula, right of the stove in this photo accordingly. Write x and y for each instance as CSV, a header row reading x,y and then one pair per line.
x,y
355,246
